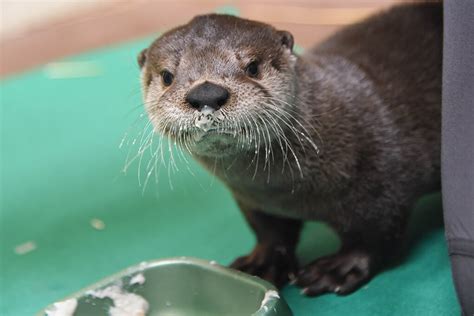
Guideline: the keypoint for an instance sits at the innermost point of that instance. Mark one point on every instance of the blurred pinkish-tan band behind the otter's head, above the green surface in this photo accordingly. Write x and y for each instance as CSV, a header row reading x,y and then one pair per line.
x,y
37,31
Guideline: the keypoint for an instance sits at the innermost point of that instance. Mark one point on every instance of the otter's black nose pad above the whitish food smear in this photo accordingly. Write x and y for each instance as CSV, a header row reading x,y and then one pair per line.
x,y
208,94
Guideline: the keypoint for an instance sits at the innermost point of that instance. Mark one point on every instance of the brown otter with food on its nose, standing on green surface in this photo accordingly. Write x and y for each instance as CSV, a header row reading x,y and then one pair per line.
x,y
348,133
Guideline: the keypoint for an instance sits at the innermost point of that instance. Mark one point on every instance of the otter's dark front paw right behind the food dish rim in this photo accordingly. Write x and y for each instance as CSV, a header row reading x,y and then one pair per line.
x,y
272,263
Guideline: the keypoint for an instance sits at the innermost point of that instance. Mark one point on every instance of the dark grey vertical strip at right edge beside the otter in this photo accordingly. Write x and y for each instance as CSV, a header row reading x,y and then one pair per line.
x,y
458,145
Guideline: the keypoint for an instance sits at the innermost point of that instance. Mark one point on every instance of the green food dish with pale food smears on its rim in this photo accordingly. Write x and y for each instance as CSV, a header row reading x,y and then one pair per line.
x,y
175,287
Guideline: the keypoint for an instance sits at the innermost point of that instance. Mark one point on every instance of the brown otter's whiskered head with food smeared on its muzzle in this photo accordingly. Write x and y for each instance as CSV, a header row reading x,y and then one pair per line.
x,y
220,84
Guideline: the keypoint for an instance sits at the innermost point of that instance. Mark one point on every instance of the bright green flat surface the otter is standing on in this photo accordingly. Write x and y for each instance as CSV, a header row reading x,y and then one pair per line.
x,y
61,167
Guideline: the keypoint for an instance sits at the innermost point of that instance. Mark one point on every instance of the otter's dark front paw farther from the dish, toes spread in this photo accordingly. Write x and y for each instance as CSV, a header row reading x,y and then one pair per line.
x,y
341,273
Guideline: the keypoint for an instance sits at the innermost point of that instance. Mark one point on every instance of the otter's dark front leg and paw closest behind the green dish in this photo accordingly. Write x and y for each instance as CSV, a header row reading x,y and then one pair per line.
x,y
273,258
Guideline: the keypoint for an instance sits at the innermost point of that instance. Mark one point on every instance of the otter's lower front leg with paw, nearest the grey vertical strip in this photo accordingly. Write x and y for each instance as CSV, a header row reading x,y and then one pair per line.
x,y
361,256
